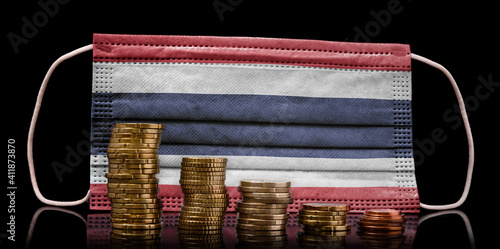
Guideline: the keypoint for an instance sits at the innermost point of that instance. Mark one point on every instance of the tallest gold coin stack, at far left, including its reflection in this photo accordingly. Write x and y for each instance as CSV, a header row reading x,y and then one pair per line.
x,y
136,210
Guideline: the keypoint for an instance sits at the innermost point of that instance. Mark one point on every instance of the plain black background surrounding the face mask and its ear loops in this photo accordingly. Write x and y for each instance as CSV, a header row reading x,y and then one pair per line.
x,y
462,36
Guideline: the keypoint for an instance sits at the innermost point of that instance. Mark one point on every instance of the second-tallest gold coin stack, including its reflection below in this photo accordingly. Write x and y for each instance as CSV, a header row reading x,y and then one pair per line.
x,y
205,202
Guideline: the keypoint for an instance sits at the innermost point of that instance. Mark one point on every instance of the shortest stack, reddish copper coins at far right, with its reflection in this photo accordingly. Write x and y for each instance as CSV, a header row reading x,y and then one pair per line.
x,y
382,228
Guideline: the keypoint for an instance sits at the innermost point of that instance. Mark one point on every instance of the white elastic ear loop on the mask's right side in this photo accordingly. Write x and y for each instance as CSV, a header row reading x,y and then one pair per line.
x,y
468,132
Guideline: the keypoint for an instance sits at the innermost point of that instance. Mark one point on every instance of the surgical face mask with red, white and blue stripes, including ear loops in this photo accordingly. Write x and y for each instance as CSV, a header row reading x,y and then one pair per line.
x,y
334,118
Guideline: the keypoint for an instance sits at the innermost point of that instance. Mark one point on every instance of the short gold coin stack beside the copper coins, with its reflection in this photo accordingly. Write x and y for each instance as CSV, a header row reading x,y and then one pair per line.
x,y
323,224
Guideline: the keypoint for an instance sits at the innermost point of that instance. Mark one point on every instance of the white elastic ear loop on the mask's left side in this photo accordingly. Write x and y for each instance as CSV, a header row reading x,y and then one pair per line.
x,y
31,133
